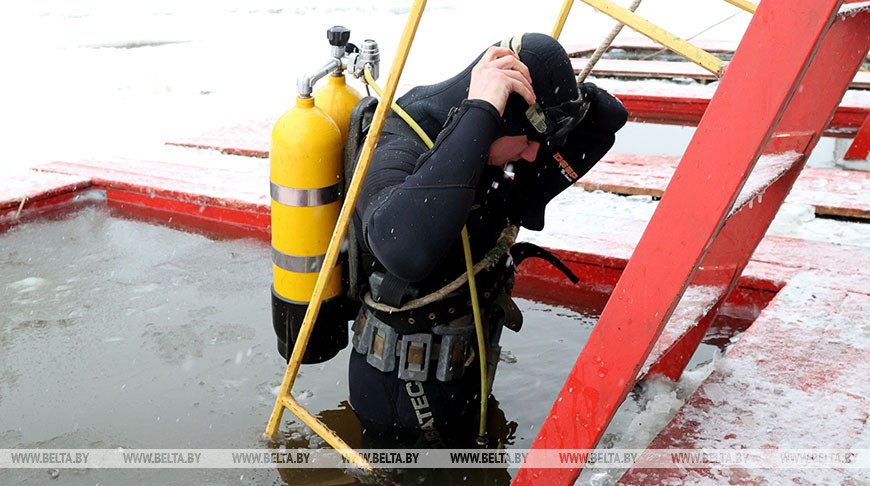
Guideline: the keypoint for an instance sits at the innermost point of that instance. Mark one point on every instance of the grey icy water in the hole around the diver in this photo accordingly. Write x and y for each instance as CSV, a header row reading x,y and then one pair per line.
x,y
117,333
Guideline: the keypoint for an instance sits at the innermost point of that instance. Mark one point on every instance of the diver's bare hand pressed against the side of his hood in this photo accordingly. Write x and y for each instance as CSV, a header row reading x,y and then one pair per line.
x,y
498,74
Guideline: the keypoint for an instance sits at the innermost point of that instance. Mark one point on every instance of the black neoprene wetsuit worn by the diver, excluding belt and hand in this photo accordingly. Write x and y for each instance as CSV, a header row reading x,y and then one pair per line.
x,y
413,206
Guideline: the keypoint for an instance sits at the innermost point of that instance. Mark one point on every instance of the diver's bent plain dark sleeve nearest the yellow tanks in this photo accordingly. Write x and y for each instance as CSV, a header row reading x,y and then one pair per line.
x,y
414,203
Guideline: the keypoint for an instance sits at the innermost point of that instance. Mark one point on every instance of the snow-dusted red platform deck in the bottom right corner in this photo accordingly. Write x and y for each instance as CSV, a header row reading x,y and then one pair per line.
x,y
796,379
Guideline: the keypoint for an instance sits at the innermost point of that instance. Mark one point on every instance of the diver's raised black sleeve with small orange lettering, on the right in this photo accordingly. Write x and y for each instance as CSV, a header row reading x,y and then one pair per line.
x,y
557,167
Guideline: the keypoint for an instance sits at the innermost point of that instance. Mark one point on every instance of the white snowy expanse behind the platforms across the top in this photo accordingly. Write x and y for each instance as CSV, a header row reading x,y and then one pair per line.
x,y
85,79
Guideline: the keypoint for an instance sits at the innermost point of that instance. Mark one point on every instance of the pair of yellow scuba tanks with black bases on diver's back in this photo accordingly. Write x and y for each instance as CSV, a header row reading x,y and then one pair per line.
x,y
306,189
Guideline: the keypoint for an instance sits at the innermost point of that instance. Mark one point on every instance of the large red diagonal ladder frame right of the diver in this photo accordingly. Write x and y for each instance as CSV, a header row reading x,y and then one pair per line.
x,y
774,99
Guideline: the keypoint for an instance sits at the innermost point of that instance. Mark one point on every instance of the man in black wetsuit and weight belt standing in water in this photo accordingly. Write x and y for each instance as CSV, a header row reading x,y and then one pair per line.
x,y
414,374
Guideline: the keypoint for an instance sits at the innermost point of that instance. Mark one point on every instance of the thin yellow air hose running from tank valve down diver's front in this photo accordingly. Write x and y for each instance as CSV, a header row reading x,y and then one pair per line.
x,y
469,268
